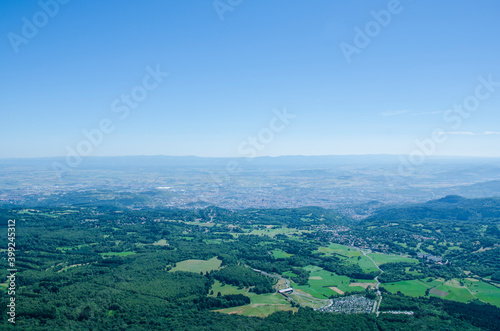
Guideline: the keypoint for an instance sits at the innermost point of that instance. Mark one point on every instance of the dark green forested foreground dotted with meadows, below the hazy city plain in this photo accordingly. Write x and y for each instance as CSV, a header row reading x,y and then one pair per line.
x,y
108,268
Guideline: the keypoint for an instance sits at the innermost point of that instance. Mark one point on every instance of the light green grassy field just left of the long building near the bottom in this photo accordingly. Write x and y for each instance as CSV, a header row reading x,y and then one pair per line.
x,y
261,305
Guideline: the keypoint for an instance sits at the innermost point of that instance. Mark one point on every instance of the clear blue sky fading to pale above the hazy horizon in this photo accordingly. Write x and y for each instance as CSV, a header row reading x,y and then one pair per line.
x,y
228,77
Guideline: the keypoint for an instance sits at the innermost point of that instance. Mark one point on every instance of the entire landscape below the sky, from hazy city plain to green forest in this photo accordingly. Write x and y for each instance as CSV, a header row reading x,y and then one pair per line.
x,y
152,248
